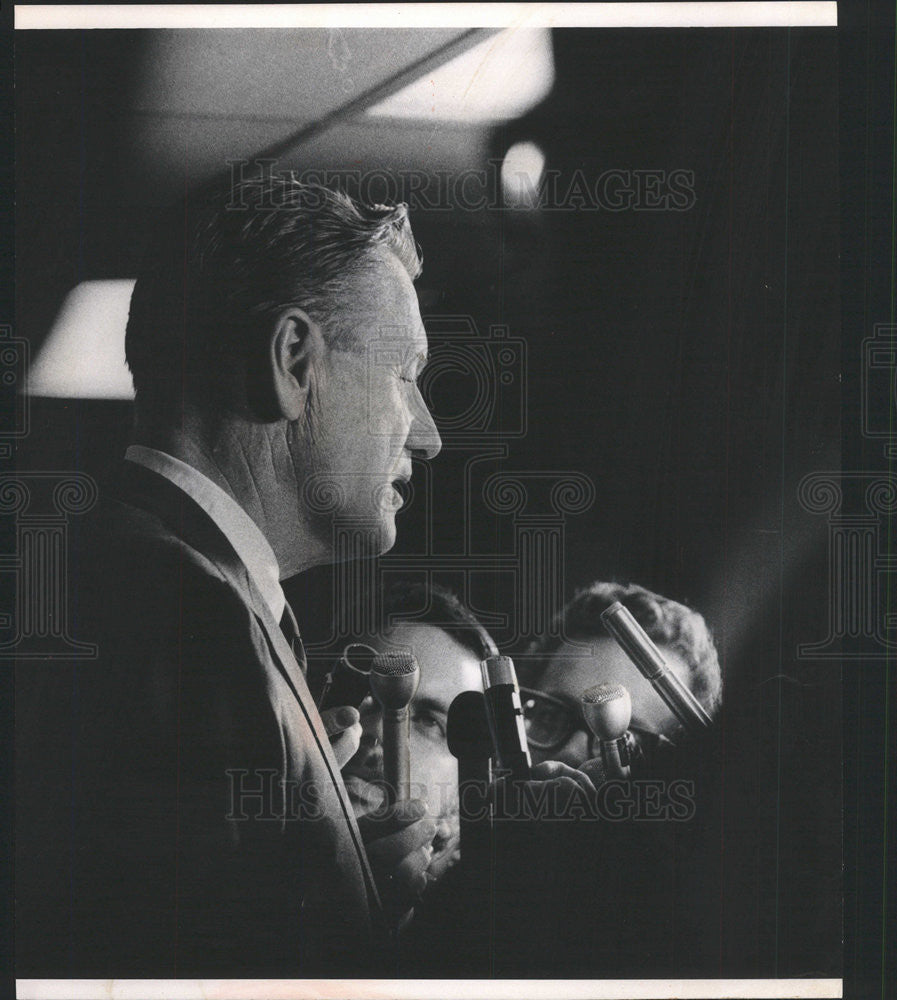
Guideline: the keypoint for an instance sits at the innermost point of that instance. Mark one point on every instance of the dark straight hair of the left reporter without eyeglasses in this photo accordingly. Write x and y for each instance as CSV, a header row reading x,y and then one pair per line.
x,y
407,603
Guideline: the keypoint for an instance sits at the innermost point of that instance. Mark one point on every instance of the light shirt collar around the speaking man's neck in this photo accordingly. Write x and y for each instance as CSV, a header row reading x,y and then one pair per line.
x,y
236,525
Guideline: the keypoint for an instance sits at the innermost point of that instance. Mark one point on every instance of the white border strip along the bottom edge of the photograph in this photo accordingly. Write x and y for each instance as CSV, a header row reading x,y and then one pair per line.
x,y
427,989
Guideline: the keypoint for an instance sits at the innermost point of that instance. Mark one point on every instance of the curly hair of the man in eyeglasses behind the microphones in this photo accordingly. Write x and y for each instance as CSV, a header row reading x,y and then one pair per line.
x,y
667,622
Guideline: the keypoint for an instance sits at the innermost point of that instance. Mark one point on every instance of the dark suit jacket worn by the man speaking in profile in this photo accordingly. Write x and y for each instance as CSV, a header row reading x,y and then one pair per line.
x,y
186,815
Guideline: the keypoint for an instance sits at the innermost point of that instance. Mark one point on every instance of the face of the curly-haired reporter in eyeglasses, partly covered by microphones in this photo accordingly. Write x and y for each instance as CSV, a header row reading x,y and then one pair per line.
x,y
573,668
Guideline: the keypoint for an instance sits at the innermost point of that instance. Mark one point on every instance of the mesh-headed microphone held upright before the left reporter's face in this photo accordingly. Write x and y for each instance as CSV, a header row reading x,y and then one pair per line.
x,y
394,679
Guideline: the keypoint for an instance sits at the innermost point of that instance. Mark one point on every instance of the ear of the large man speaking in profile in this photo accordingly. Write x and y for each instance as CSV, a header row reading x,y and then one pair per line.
x,y
295,344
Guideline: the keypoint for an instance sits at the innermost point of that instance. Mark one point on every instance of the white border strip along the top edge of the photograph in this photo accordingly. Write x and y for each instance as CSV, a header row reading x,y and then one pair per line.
x,y
808,13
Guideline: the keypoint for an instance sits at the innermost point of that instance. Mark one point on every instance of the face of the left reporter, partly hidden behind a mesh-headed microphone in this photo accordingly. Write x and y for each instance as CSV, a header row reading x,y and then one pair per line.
x,y
446,669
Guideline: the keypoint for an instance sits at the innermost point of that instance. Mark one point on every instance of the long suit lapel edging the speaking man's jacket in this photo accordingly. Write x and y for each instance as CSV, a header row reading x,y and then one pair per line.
x,y
150,491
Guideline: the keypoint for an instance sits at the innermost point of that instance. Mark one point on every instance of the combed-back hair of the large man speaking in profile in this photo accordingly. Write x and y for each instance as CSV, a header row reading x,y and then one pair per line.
x,y
225,261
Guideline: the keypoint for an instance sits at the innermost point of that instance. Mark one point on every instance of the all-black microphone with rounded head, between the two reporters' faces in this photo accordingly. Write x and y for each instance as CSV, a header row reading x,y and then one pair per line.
x,y
470,742
